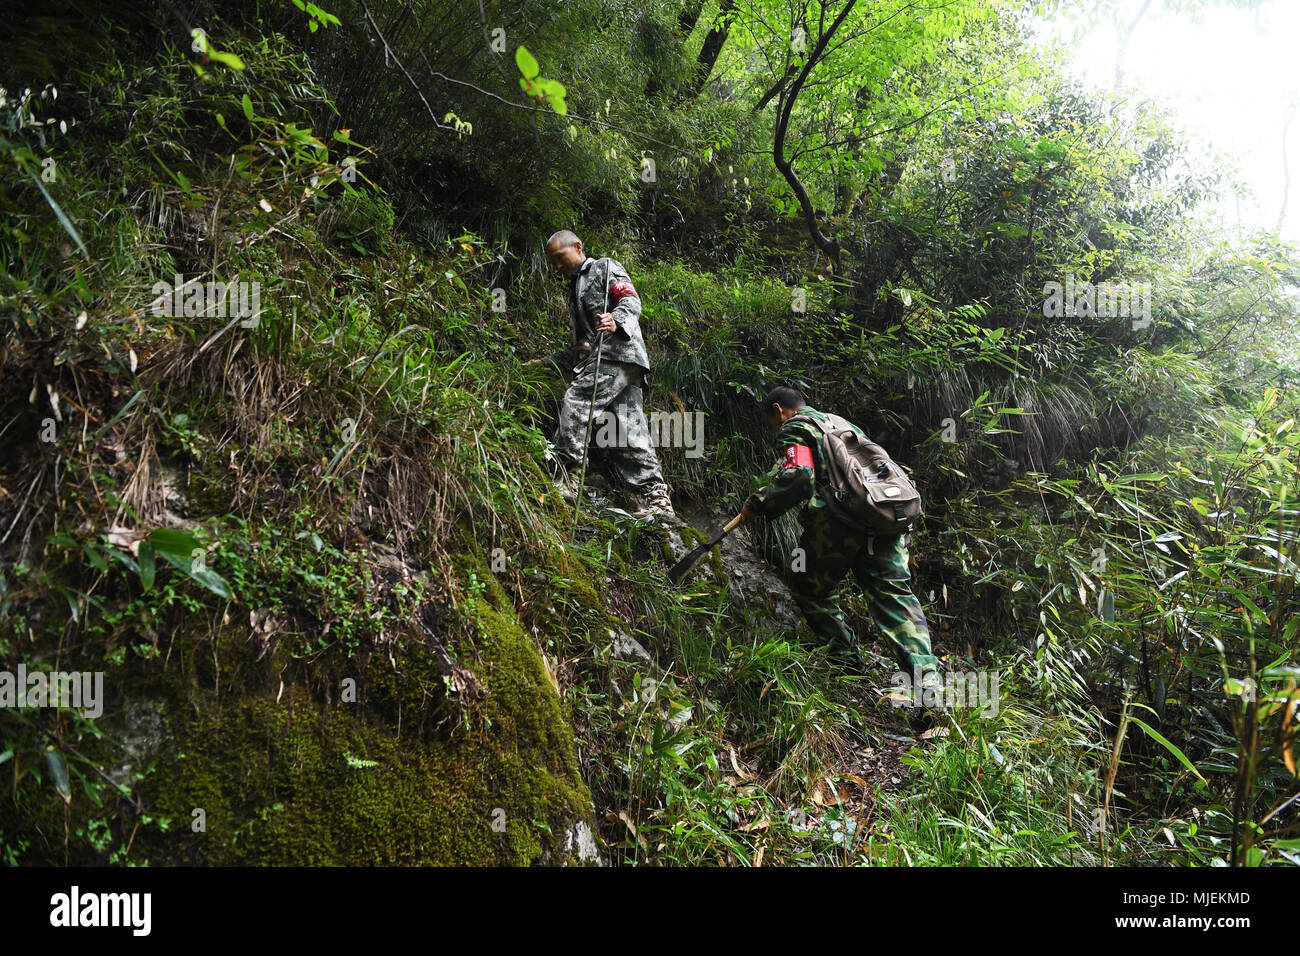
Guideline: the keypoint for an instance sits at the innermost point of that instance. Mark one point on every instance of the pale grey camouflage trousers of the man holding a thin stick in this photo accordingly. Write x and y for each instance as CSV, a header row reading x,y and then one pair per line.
x,y
619,429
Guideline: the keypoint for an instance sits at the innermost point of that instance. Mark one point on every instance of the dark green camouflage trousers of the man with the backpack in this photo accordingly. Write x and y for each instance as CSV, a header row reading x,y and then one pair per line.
x,y
879,564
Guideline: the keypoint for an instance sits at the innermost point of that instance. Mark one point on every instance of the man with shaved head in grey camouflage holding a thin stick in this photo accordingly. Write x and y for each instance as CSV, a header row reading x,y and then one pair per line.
x,y
605,313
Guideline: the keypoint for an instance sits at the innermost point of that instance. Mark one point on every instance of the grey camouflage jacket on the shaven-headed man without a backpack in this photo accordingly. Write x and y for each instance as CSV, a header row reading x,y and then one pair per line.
x,y
587,301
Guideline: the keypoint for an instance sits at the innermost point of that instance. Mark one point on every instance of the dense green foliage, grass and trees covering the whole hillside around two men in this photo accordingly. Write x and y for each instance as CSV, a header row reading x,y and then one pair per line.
x,y
341,609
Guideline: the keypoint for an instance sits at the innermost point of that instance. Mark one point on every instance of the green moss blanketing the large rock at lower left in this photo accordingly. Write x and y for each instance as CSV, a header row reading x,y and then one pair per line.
x,y
278,785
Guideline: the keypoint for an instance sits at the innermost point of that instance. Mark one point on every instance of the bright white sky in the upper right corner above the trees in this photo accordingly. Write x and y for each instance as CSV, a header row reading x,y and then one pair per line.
x,y
1225,79
